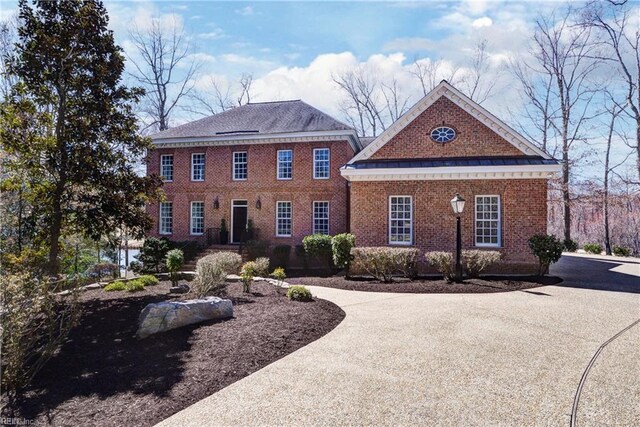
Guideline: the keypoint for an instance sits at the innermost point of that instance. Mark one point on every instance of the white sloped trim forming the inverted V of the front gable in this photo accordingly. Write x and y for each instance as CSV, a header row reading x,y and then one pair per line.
x,y
462,101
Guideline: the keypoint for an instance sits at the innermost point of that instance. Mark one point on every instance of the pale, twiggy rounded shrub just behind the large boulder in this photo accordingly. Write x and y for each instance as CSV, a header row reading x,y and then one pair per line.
x,y
212,271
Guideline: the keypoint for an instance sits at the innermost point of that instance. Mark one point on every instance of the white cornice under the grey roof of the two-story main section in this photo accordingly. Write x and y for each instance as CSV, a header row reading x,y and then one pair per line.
x,y
251,139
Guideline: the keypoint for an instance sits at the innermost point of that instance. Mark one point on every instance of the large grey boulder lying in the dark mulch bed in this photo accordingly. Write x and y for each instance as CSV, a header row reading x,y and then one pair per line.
x,y
164,316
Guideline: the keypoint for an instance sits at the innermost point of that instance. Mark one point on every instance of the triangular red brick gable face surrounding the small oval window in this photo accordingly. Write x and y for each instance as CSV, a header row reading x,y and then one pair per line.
x,y
473,137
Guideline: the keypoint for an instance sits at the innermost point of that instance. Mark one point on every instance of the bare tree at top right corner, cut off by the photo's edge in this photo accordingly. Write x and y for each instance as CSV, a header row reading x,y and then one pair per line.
x,y
621,39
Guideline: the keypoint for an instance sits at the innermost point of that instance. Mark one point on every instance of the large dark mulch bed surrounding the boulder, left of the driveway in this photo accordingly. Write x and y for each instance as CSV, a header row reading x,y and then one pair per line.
x,y
104,376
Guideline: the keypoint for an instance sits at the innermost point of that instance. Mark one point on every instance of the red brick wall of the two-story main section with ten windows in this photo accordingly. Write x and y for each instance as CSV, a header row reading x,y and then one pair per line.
x,y
302,190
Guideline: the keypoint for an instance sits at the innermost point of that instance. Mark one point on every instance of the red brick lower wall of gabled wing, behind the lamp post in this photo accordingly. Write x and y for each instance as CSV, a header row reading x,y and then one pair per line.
x,y
523,206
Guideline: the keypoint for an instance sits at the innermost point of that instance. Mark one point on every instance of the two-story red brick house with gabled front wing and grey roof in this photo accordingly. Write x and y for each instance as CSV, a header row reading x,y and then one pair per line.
x,y
294,170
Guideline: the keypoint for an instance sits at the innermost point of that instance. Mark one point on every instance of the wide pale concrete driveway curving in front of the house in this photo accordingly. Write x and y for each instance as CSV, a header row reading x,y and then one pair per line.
x,y
514,358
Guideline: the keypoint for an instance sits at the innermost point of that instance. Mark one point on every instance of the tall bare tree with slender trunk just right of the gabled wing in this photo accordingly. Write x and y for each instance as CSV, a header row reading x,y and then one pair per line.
x,y
566,53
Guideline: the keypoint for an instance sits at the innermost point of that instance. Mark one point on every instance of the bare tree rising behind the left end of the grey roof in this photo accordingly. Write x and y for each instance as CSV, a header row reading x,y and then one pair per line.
x,y
162,53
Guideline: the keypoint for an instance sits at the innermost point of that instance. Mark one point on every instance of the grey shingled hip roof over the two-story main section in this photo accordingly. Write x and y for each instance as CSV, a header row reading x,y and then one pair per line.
x,y
256,119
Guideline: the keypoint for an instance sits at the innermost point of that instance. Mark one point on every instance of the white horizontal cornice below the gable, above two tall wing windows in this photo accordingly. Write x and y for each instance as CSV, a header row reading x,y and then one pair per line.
x,y
451,172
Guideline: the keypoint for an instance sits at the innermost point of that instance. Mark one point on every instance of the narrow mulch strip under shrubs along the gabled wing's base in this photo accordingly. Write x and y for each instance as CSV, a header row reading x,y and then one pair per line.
x,y
487,284
